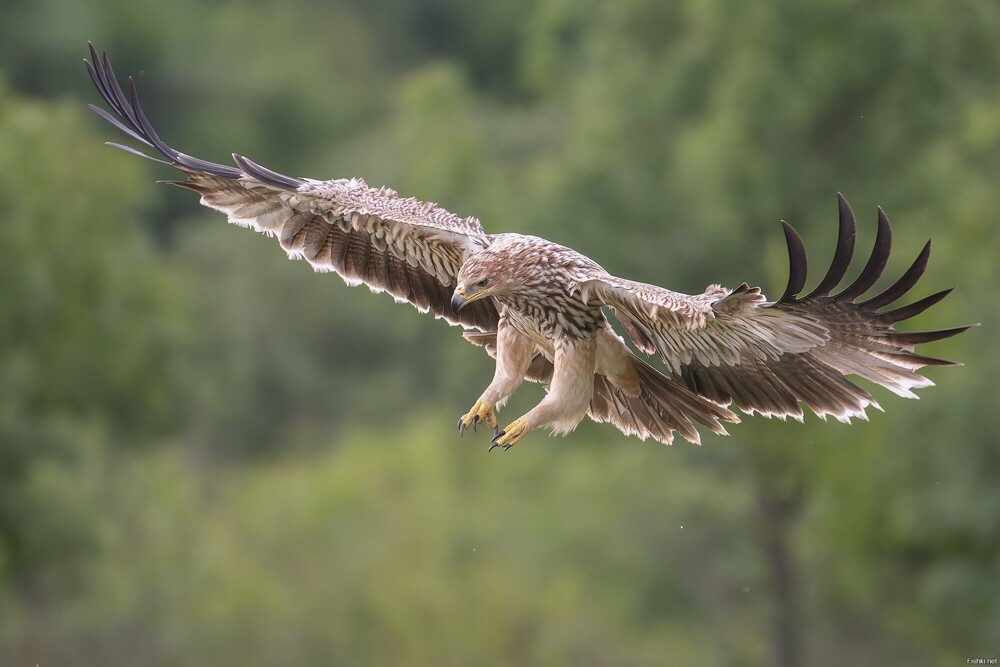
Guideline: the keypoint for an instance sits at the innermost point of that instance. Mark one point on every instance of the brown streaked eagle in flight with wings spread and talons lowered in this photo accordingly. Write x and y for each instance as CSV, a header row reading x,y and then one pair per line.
x,y
542,309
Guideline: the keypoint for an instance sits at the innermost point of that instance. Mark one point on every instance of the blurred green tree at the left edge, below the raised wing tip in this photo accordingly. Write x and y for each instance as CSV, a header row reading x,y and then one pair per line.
x,y
90,330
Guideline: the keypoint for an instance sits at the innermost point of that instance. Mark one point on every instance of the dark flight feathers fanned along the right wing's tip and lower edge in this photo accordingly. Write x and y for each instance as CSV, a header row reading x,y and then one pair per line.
x,y
862,339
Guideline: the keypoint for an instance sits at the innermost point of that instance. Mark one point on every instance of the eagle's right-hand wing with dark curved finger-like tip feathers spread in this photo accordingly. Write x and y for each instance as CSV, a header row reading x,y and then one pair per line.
x,y
732,346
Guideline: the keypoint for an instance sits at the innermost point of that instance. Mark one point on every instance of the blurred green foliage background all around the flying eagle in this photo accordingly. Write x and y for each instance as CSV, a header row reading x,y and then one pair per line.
x,y
210,456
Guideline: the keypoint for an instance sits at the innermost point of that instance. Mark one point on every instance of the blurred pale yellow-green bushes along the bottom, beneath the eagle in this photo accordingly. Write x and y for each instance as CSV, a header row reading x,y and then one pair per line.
x,y
419,555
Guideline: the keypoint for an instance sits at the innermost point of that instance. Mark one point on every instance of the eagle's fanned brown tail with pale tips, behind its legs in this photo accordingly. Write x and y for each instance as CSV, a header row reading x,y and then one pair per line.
x,y
662,407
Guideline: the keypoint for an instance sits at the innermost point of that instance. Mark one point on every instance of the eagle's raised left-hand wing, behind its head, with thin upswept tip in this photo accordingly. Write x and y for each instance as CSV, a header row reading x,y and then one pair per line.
x,y
411,249
